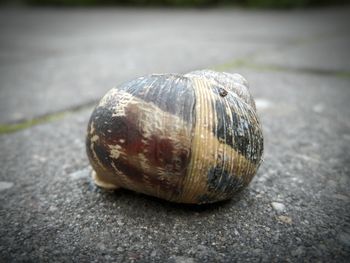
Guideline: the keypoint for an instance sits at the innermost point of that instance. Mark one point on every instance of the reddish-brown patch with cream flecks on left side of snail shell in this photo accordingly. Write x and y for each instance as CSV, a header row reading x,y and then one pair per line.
x,y
150,156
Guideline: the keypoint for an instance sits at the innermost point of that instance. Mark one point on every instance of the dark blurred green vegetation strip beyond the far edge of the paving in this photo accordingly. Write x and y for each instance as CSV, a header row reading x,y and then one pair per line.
x,y
194,3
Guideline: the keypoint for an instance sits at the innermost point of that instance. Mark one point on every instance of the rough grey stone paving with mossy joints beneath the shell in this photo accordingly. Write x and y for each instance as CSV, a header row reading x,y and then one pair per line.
x,y
57,63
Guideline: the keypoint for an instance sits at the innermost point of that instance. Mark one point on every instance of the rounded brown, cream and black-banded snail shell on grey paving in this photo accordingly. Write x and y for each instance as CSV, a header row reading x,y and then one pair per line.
x,y
193,138
